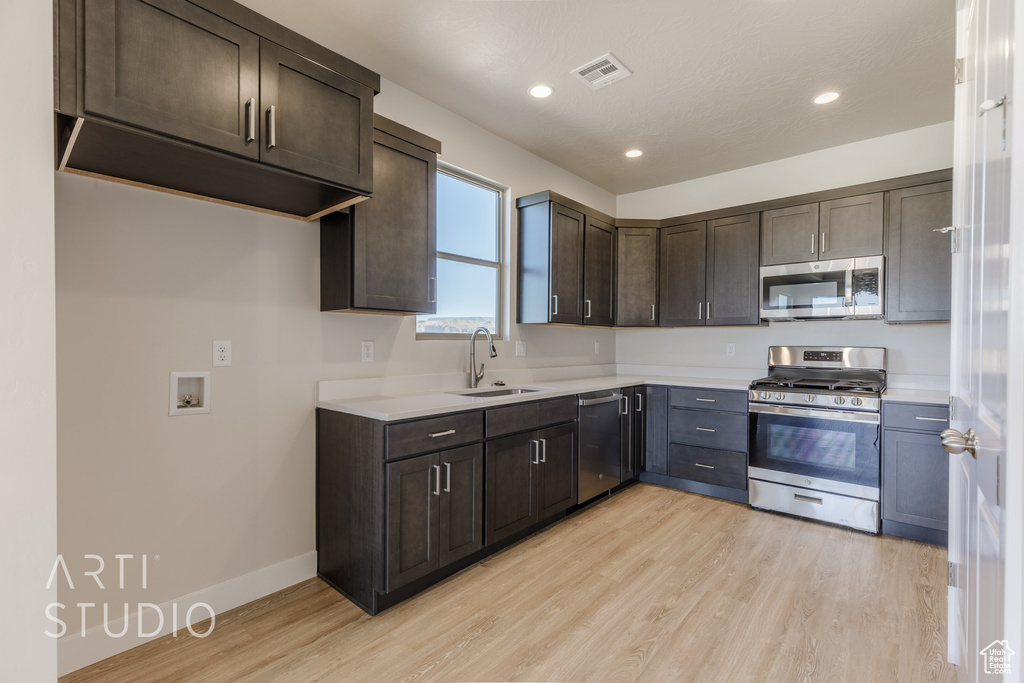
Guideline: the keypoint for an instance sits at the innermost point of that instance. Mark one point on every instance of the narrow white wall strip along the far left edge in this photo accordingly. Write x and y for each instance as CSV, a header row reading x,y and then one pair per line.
x,y
28,430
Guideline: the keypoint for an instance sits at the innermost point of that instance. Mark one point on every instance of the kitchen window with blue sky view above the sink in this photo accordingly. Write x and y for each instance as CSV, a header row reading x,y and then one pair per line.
x,y
471,223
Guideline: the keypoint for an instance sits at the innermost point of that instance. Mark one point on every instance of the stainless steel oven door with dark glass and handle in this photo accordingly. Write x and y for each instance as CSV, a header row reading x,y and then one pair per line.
x,y
834,451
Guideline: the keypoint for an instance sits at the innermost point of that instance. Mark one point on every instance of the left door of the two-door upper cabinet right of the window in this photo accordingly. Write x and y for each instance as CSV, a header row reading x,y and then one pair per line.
x,y
567,265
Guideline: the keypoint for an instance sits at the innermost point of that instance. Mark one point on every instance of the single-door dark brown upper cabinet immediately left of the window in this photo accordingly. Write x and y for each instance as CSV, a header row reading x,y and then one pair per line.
x,y
382,254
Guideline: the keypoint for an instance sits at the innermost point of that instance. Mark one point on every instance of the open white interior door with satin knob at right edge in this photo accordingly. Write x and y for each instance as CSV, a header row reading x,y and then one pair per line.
x,y
980,343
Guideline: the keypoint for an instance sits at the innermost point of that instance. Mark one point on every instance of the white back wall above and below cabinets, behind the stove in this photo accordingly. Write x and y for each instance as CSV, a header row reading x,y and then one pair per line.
x,y
914,350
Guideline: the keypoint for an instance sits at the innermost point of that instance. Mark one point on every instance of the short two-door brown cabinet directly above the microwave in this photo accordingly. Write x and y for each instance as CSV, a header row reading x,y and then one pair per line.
x,y
845,228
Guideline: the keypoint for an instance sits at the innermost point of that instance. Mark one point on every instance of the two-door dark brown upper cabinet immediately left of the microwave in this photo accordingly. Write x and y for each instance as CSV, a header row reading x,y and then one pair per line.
x,y
710,273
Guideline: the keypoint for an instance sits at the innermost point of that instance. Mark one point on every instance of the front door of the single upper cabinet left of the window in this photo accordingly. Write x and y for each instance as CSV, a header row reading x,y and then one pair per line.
x,y
395,235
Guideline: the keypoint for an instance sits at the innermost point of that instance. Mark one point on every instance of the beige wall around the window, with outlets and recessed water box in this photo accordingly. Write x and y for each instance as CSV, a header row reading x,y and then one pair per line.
x,y
145,283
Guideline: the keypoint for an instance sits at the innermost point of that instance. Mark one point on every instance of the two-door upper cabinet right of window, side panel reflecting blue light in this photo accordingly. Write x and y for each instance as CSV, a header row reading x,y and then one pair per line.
x,y
567,264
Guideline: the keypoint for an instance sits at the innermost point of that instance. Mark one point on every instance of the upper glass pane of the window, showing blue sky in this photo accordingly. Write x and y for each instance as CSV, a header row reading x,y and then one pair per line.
x,y
467,219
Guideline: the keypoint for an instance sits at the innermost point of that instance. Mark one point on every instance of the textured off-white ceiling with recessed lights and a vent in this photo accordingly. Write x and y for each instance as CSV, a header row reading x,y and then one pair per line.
x,y
717,86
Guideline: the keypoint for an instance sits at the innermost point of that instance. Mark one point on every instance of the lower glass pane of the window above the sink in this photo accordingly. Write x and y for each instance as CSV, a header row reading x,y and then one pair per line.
x,y
467,296
